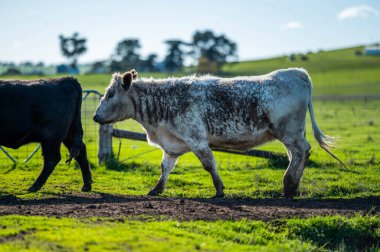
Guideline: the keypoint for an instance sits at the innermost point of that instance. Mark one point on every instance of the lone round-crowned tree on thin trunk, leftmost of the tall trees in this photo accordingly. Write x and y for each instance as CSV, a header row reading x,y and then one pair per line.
x,y
72,47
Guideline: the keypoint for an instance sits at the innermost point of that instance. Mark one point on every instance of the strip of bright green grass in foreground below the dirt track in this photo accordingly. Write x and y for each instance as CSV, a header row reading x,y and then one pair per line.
x,y
90,234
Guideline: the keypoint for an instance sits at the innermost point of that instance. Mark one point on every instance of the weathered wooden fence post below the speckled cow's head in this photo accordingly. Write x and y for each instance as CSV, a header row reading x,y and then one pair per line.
x,y
105,143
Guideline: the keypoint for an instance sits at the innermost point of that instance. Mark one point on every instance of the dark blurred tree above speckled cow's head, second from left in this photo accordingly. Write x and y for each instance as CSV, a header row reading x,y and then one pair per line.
x,y
126,55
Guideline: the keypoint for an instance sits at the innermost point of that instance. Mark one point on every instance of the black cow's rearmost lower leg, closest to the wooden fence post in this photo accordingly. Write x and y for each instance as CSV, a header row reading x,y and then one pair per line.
x,y
84,165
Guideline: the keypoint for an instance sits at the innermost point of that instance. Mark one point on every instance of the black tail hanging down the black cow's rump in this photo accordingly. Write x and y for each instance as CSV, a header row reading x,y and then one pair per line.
x,y
76,130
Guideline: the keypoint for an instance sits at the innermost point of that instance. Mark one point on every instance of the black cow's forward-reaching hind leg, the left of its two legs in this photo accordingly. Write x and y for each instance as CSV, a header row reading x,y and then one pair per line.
x,y
52,155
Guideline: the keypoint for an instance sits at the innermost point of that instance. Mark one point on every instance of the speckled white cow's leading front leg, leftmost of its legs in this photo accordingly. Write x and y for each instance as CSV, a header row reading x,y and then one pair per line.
x,y
167,165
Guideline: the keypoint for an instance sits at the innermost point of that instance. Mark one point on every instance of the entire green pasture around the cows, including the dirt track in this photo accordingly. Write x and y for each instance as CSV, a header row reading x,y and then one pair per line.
x,y
336,209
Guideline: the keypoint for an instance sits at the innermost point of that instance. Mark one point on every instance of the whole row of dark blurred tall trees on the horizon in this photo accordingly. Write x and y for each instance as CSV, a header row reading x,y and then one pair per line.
x,y
209,50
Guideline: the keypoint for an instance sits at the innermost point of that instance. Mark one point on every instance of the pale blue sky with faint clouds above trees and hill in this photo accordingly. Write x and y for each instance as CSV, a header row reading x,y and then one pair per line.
x,y
29,29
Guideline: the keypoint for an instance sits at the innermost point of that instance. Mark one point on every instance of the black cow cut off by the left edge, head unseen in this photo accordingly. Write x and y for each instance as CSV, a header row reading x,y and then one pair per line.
x,y
47,111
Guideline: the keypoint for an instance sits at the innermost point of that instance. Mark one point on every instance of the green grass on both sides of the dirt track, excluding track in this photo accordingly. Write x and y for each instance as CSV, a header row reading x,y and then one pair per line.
x,y
355,122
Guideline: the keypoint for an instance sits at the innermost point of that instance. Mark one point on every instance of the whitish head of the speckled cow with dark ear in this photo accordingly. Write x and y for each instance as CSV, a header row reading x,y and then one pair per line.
x,y
116,105
